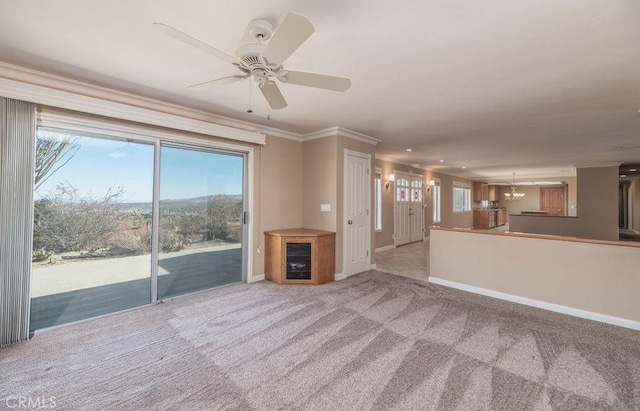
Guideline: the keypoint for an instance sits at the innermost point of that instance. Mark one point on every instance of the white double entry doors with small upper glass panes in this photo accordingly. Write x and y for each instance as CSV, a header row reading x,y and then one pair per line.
x,y
408,209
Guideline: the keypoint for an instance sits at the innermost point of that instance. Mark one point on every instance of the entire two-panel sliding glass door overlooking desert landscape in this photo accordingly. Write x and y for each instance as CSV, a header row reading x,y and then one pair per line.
x,y
97,226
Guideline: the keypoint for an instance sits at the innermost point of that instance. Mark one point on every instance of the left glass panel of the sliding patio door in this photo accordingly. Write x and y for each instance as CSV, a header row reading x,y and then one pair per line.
x,y
92,227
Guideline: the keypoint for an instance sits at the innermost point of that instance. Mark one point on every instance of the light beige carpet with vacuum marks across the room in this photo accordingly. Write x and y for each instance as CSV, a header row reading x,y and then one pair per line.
x,y
373,341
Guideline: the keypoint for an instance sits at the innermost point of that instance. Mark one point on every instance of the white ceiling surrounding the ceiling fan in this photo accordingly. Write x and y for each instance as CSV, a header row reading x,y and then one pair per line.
x,y
533,87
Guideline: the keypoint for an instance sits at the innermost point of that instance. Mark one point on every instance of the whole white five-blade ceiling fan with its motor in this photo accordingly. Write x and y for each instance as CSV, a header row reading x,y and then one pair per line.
x,y
261,54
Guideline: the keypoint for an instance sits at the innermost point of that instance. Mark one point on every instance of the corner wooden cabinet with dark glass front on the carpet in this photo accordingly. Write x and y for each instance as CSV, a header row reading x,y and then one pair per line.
x,y
300,256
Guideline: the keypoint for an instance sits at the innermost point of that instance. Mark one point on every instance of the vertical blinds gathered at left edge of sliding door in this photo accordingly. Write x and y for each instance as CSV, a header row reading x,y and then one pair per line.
x,y
17,147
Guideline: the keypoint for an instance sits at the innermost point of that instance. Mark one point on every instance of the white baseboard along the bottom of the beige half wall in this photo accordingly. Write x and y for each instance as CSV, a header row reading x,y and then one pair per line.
x,y
576,312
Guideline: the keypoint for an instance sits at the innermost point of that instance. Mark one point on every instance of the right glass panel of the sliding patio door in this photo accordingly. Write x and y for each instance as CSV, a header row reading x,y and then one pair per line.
x,y
201,204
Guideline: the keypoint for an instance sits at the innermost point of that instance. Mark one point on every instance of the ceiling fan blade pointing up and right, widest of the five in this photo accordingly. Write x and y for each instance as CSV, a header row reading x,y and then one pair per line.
x,y
292,32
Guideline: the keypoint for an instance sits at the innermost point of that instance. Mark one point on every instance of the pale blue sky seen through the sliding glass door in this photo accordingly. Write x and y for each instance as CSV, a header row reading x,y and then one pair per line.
x,y
101,164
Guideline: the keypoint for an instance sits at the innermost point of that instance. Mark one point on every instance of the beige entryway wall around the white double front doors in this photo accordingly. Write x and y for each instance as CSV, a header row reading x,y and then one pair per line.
x,y
384,237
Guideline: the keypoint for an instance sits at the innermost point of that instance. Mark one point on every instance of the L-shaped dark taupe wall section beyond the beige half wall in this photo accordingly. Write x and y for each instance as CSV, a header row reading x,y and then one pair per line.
x,y
597,199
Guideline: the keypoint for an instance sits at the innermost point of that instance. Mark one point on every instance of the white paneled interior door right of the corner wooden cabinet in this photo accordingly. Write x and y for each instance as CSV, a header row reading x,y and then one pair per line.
x,y
357,221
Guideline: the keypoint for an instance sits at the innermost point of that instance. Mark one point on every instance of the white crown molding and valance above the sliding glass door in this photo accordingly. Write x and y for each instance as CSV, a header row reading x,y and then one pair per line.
x,y
47,89
